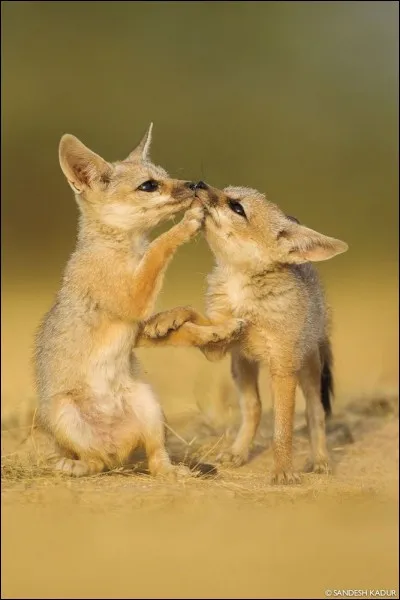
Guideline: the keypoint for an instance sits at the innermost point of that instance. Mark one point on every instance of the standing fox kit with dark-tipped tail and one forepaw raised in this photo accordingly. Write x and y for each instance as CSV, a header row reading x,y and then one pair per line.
x,y
264,277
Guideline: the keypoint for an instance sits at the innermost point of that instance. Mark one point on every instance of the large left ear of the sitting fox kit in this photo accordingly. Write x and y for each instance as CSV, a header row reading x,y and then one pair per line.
x,y
81,166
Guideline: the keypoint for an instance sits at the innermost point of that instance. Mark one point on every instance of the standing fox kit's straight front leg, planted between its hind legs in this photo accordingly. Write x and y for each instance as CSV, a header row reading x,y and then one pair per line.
x,y
284,393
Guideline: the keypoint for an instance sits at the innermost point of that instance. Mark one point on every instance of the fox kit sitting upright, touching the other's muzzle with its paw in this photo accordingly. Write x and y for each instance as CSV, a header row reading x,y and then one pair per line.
x,y
93,402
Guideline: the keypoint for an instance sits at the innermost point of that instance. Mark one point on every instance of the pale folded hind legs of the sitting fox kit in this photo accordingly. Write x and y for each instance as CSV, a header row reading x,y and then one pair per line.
x,y
89,441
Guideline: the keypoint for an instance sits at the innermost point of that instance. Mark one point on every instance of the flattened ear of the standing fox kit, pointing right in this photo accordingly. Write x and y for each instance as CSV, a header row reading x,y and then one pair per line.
x,y
302,244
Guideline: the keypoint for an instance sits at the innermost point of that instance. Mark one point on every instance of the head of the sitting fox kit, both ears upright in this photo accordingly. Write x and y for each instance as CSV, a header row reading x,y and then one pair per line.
x,y
129,195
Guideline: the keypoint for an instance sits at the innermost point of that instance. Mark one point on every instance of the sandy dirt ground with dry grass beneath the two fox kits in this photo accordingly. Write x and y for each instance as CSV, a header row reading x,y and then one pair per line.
x,y
229,535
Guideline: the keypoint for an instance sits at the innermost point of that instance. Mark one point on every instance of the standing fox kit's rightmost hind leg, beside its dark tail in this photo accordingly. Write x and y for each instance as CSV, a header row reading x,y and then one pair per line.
x,y
310,383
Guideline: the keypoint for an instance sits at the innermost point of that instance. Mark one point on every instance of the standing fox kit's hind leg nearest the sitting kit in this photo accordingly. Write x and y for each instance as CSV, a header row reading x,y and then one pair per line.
x,y
245,376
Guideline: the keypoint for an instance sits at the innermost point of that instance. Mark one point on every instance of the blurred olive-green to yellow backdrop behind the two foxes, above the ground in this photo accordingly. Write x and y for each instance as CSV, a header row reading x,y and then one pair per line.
x,y
297,99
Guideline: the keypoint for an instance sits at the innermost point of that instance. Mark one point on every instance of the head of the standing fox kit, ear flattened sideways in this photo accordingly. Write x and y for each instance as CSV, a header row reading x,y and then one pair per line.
x,y
244,229
